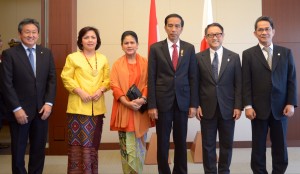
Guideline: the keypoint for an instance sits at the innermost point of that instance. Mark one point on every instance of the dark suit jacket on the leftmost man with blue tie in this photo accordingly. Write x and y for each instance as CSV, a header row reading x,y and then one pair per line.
x,y
20,86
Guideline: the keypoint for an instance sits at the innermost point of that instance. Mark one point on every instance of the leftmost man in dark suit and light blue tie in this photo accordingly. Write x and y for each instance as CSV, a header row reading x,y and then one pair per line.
x,y
29,82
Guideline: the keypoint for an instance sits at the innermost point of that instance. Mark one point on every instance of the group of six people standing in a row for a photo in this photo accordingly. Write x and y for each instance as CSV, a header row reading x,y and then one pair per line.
x,y
174,83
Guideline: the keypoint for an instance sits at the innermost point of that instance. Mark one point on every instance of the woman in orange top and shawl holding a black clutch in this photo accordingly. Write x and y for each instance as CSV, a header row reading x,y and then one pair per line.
x,y
131,124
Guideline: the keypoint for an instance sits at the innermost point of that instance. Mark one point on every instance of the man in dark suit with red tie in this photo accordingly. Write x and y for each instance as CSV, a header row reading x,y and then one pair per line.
x,y
172,93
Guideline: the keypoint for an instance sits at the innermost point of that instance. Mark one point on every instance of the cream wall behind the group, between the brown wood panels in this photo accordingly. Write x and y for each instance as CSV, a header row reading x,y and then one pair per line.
x,y
115,16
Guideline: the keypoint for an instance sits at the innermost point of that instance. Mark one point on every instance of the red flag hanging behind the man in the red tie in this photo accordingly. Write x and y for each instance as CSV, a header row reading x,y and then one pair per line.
x,y
153,26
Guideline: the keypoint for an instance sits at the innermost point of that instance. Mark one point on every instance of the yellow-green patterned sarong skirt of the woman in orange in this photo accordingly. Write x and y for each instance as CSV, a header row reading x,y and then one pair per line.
x,y
132,152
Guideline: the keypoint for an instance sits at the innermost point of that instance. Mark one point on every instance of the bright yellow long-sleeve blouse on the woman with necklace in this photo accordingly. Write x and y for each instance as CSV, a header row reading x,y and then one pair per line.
x,y
78,73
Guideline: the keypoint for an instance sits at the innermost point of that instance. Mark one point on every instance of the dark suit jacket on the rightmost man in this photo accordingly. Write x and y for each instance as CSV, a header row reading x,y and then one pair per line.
x,y
268,90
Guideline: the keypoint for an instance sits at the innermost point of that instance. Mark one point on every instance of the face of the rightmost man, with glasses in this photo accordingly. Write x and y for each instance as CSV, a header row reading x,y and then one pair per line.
x,y
264,33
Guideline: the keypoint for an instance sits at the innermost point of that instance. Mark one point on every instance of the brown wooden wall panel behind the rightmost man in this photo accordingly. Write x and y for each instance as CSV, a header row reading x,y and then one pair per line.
x,y
286,15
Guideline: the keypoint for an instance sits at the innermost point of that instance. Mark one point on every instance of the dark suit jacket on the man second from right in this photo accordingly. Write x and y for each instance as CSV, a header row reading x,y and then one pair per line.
x,y
226,91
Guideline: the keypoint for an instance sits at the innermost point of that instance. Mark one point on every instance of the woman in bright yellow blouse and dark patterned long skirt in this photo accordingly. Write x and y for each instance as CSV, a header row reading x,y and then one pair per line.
x,y
86,77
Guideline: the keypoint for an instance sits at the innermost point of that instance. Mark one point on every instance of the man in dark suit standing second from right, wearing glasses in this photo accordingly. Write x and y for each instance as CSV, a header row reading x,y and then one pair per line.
x,y
220,99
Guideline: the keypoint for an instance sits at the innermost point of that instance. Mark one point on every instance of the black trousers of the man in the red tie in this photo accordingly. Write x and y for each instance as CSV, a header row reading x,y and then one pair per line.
x,y
177,120
